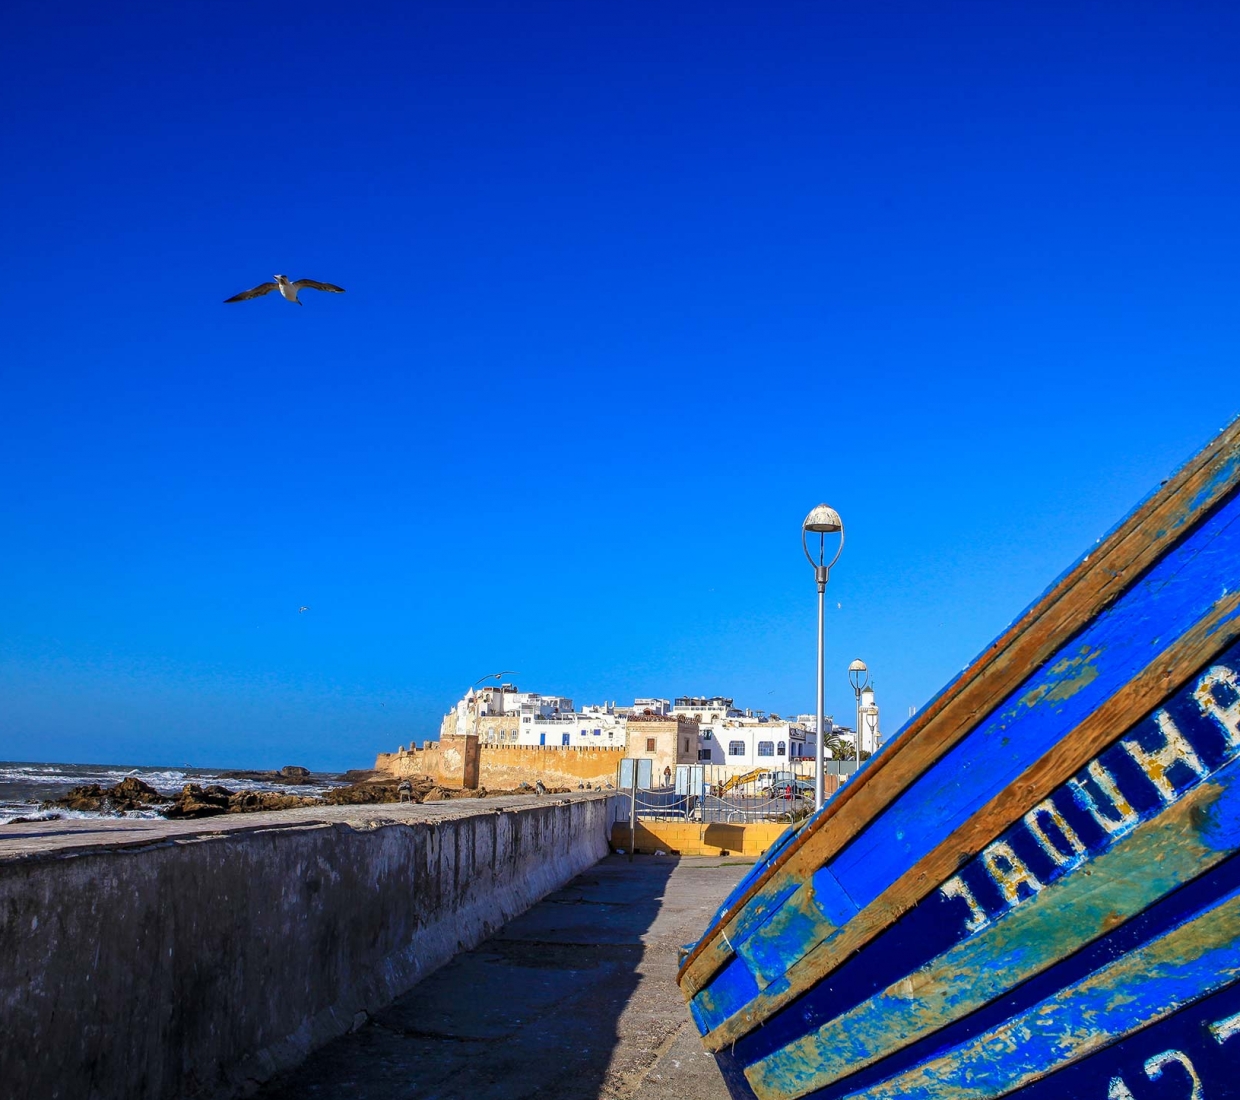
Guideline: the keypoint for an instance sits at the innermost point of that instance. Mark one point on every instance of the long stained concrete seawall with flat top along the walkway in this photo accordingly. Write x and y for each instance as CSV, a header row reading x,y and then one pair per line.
x,y
152,959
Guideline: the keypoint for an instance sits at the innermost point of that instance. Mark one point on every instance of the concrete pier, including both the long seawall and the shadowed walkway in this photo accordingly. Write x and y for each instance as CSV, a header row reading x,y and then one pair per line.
x,y
292,952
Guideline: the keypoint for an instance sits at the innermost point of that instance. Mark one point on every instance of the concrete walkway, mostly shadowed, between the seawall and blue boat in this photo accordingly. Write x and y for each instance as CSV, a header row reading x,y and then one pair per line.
x,y
575,1000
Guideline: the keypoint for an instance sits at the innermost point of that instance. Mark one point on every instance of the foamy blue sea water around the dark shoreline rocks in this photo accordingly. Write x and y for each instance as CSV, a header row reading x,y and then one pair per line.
x,y
23,787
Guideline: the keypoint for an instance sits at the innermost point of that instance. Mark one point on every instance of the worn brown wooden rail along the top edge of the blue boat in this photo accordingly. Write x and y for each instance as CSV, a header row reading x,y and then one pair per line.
x,y
1114,566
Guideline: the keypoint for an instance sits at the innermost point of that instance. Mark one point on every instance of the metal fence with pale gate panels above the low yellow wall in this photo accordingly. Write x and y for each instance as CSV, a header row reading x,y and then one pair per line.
x,y
712,793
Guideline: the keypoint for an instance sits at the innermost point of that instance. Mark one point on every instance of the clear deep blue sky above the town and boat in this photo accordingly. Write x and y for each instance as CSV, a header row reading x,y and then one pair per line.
x,y
631,288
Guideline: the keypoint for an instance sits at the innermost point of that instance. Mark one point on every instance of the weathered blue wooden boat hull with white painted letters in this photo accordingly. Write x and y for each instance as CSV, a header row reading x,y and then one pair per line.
x,y
1036,887
